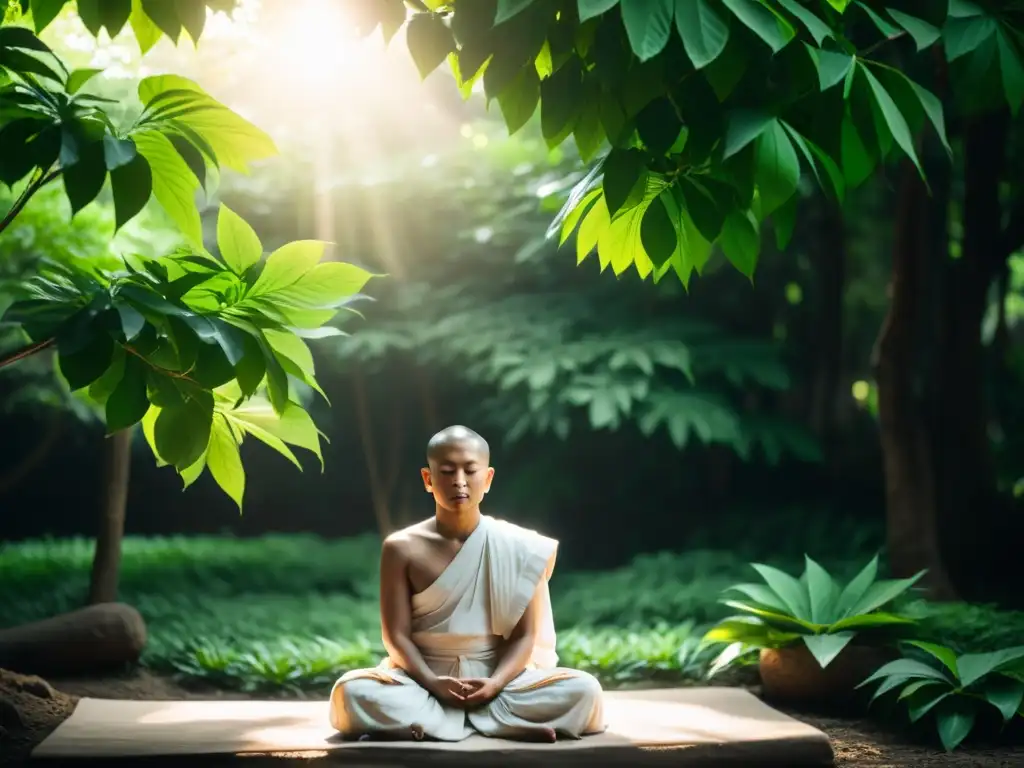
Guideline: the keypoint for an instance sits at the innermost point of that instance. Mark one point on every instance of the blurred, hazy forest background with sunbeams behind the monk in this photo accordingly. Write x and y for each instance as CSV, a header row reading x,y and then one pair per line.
x,y
624,419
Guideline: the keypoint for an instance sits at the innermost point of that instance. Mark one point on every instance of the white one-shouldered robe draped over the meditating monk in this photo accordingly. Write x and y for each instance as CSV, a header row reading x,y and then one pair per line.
x,y
459,622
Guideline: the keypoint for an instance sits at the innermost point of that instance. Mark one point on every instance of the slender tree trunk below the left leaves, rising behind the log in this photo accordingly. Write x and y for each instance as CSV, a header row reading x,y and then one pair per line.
x,y
107,562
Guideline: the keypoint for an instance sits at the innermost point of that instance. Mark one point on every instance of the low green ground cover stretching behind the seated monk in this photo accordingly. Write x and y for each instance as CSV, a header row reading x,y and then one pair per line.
x,y
297,612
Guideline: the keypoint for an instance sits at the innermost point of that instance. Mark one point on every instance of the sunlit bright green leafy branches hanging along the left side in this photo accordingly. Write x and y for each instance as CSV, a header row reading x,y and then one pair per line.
x,y
200,350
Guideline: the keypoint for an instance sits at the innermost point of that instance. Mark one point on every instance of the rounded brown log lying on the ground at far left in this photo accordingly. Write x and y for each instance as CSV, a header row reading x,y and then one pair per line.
x,y
100,638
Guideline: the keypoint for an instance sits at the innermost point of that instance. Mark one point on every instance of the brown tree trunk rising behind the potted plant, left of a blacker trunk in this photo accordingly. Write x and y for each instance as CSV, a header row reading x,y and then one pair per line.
x,y
912,534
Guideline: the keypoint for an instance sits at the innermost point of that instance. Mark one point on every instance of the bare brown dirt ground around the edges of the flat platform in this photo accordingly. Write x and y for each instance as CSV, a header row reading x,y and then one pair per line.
x,y
31,709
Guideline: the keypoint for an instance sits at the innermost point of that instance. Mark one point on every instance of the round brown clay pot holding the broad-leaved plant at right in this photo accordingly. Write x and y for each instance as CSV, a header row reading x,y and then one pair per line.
x,y
792,675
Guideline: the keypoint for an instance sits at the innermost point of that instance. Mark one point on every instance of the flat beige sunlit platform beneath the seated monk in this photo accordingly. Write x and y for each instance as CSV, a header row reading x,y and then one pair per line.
x,y
686,727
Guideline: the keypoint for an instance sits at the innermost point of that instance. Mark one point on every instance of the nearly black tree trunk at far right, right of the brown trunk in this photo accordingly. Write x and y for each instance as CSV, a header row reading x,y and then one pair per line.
x,y
965,470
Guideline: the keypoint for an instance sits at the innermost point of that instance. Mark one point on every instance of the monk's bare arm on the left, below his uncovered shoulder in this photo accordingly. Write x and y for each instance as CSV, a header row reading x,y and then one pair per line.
x,y
397,615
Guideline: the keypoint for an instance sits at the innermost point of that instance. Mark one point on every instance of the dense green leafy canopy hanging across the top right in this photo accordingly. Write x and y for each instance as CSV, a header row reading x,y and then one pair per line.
x,y
706,115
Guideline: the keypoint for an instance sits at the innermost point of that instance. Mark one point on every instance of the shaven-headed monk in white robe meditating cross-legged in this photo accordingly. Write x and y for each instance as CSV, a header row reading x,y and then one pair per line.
x,y
467,624
